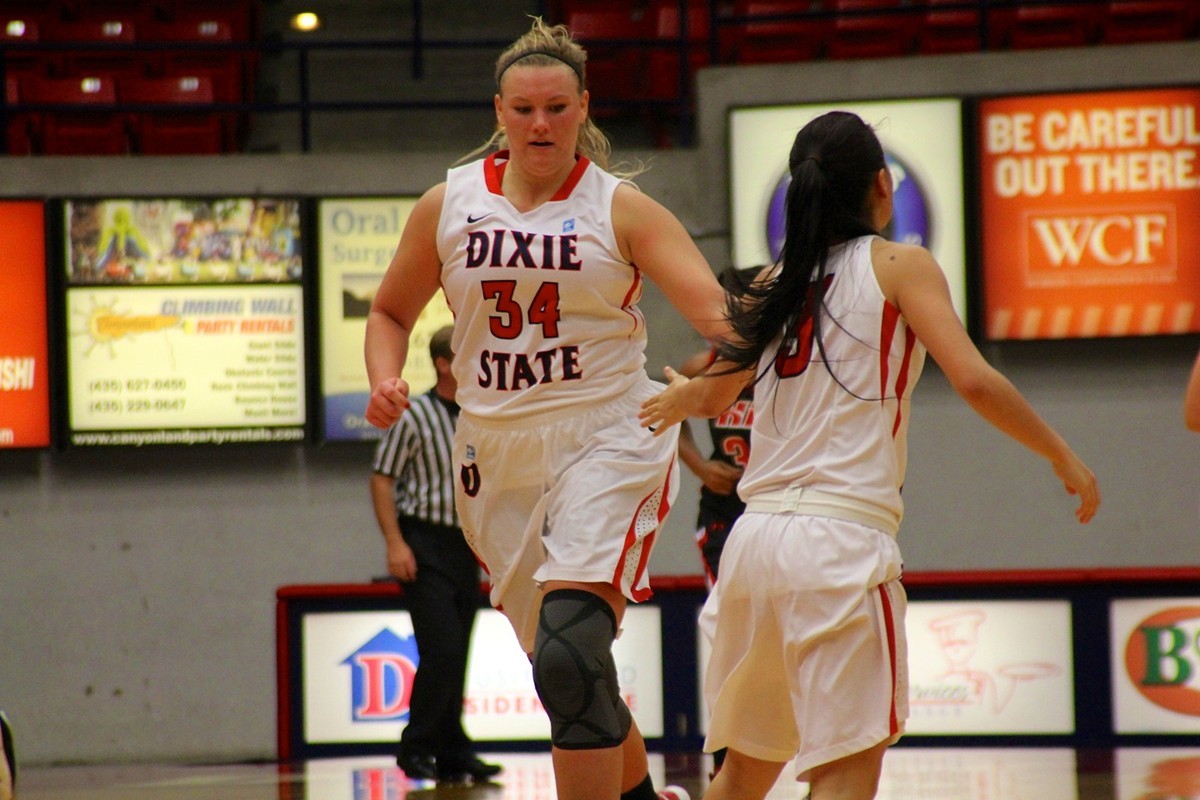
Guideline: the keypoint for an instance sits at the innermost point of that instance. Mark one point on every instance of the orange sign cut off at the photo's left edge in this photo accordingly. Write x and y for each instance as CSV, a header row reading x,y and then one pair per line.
x,y
25,374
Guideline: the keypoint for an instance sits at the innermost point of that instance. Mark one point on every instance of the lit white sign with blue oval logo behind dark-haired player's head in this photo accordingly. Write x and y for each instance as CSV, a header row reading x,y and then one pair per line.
x,y
923,147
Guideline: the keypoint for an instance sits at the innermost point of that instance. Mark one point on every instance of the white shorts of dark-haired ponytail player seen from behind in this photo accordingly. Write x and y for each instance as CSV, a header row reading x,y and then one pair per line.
x,y
809,654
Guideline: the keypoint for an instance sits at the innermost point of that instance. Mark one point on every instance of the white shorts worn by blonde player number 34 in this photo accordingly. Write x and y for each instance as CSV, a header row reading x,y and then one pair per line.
x,y
577,496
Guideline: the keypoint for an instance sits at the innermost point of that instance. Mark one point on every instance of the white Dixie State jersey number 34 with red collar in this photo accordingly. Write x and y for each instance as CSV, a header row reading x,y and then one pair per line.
x,y
545,306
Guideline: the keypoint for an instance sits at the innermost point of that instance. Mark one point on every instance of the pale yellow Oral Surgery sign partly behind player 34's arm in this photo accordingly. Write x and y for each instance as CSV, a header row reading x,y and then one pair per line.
x,y
358,239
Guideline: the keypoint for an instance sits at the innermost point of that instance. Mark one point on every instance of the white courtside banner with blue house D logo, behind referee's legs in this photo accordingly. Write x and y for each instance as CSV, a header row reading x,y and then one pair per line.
x,y
358,667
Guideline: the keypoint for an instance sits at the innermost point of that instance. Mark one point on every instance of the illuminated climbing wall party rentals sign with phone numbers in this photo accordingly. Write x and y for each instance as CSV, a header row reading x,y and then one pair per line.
x,y
185,322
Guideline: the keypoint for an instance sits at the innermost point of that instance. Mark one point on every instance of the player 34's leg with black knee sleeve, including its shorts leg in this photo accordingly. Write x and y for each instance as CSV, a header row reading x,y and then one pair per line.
x,y
613,489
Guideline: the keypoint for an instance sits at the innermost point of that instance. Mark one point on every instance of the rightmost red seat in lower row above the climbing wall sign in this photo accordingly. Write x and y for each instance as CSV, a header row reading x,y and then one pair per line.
x,y
172,131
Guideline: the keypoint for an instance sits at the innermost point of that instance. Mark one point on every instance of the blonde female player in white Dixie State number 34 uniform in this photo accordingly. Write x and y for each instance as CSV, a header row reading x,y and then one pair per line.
x,y
542,254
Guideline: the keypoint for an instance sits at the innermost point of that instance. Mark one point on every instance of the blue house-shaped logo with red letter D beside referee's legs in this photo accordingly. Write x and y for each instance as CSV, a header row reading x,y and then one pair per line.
x,y
382,673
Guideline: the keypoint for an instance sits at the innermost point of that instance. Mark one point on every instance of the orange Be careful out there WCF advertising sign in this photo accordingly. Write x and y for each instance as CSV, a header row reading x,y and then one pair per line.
x,y
1088,214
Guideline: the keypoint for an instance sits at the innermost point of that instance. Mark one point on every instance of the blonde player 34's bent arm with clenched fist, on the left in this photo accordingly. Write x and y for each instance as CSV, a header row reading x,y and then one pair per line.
x,y
412,280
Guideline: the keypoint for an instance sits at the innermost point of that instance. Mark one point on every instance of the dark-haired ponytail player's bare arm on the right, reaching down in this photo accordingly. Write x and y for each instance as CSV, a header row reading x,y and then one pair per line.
x,y
915,284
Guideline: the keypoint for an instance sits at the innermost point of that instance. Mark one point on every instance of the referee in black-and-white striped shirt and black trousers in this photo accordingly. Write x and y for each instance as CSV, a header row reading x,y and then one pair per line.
x,y
412,491
